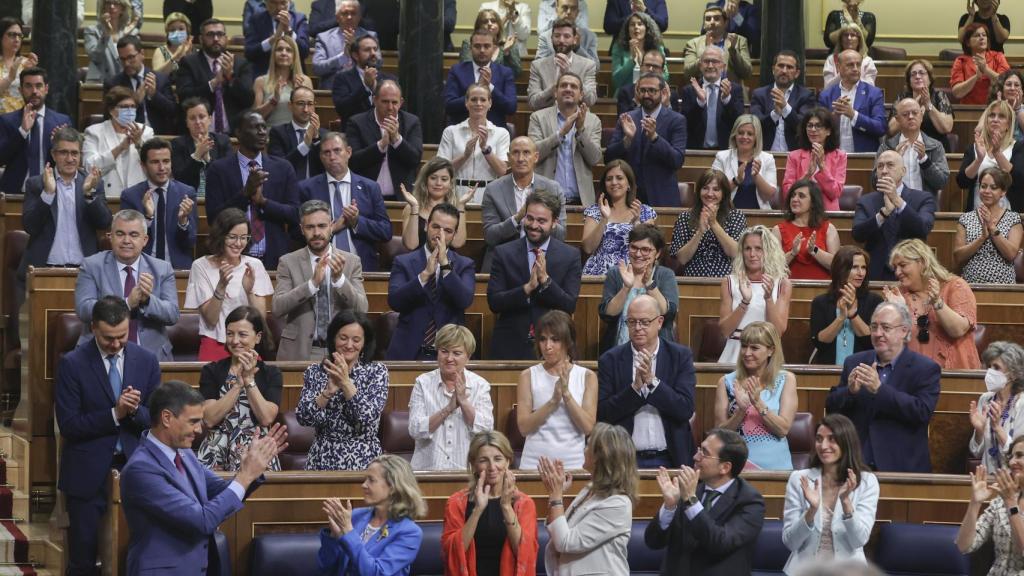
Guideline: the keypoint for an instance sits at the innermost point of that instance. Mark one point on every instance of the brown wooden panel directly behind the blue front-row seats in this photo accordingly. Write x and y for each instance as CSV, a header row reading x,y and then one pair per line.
x,y
290,503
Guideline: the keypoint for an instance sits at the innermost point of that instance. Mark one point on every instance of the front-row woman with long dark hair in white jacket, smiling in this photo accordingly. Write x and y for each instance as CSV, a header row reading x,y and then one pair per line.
x,y
830,508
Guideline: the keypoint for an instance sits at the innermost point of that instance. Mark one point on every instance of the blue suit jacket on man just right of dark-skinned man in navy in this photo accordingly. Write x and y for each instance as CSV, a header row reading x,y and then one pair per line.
x,y
374,225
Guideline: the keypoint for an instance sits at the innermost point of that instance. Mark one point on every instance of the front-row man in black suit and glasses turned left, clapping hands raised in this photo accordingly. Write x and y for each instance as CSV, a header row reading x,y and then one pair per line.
x,y
710,518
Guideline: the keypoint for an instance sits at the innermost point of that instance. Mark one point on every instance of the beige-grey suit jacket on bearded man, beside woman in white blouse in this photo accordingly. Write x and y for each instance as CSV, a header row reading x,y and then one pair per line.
x,y
294,304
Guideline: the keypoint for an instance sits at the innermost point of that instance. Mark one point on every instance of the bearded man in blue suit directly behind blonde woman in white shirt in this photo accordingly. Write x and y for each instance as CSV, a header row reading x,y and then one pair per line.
x,y
484,71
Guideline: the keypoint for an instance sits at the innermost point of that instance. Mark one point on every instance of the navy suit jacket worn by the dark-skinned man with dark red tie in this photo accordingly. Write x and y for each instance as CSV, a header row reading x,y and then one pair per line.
x,y
224,190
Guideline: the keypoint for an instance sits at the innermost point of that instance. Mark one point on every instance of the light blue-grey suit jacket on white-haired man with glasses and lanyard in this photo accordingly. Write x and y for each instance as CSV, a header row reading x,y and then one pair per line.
x,y
101,276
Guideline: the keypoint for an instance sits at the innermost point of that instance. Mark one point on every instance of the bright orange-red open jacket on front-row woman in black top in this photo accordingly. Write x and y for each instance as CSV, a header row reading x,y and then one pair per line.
x,y
462,562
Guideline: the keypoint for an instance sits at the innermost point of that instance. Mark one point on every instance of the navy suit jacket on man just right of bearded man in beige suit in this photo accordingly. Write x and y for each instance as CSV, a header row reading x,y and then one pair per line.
x,y
407,297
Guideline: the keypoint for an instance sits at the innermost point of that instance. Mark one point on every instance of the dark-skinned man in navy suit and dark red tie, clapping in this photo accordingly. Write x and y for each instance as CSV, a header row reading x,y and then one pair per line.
x,y
262,186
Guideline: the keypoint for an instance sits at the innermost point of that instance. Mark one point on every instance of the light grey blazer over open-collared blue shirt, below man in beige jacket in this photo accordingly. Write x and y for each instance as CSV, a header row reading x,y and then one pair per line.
x,y
586,149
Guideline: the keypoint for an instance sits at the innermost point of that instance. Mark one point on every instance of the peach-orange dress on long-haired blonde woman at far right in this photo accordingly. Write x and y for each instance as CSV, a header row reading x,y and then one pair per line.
x,y
951,354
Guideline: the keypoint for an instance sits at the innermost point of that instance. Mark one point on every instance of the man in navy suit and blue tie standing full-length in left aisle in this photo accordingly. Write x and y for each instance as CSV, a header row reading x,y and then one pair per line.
x,y
101,399
